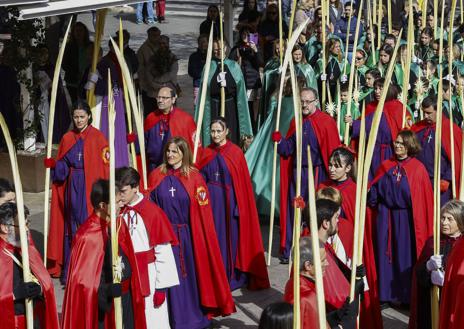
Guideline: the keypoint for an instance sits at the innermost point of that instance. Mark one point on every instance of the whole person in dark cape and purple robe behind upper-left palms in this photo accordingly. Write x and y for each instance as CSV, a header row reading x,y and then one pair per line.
x,y
109,62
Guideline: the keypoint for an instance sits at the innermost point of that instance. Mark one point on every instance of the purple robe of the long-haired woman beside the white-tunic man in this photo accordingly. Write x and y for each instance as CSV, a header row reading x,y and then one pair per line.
x,y
185,311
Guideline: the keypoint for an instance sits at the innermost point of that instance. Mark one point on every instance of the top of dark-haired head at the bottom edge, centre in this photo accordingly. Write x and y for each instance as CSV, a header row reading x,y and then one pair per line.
x,y
277,316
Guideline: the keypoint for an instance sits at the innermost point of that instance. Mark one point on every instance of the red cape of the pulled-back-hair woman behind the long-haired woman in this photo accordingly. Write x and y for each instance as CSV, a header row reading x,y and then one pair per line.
x,y
250,254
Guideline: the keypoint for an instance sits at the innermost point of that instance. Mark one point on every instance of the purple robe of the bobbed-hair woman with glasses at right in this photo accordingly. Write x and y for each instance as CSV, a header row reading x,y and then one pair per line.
x,y
394,229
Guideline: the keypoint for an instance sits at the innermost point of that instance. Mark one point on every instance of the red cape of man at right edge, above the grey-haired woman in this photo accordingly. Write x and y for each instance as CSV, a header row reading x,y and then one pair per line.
x,y
446,143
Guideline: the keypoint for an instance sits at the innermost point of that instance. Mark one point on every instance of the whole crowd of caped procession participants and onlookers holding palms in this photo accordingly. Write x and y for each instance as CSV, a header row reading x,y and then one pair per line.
x,y
193,235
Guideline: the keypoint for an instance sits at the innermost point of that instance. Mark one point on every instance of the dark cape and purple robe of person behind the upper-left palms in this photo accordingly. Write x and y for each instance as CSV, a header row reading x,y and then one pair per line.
x,y
101,89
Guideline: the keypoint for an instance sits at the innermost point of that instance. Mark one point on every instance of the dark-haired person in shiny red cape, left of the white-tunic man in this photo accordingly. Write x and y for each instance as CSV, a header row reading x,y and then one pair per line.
x,y
90,290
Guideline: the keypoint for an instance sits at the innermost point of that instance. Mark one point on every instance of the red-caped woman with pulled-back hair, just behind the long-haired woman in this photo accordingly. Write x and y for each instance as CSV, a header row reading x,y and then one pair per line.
x,y
234,210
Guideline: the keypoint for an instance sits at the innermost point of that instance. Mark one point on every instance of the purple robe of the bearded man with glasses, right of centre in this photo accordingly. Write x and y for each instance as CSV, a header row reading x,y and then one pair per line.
x,y
286,148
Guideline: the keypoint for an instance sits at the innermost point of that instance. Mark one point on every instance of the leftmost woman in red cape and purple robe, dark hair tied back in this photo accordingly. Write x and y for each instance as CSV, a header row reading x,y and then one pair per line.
x,y
83,157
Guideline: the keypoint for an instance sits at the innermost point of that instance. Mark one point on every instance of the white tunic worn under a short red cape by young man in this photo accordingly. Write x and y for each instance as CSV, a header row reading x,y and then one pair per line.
x,y
162,273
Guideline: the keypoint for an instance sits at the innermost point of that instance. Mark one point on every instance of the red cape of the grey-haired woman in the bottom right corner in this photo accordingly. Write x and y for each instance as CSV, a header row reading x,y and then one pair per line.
x,y
452,297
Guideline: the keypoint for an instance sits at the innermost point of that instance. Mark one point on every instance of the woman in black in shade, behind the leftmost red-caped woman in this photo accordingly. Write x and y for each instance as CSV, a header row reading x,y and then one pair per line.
x,y
76,58
